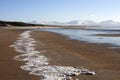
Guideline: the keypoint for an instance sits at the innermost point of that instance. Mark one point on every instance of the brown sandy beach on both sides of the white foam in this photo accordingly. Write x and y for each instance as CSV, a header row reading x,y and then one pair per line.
x,y
61,51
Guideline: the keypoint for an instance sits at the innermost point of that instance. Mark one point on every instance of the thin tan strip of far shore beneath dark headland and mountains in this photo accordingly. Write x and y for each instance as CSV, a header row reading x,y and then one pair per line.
x,y
66,27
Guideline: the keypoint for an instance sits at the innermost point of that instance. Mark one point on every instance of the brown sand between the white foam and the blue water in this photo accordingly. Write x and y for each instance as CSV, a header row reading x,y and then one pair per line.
x,y
62,51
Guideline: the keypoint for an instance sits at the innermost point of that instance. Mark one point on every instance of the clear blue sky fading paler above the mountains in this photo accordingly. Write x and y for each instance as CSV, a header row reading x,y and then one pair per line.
x,y
59,10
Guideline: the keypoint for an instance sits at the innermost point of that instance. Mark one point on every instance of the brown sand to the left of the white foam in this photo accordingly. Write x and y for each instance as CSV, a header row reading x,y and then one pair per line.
x,y
10,68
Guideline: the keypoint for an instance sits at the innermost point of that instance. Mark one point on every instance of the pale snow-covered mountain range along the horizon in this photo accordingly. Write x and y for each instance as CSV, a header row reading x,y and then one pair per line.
x,y
81,22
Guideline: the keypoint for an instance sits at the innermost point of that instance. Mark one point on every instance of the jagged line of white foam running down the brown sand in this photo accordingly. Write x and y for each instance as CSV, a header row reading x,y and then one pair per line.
x,y
38,64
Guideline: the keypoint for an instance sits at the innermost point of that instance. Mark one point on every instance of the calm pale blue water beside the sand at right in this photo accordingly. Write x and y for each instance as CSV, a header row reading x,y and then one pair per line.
x,y
89,35
